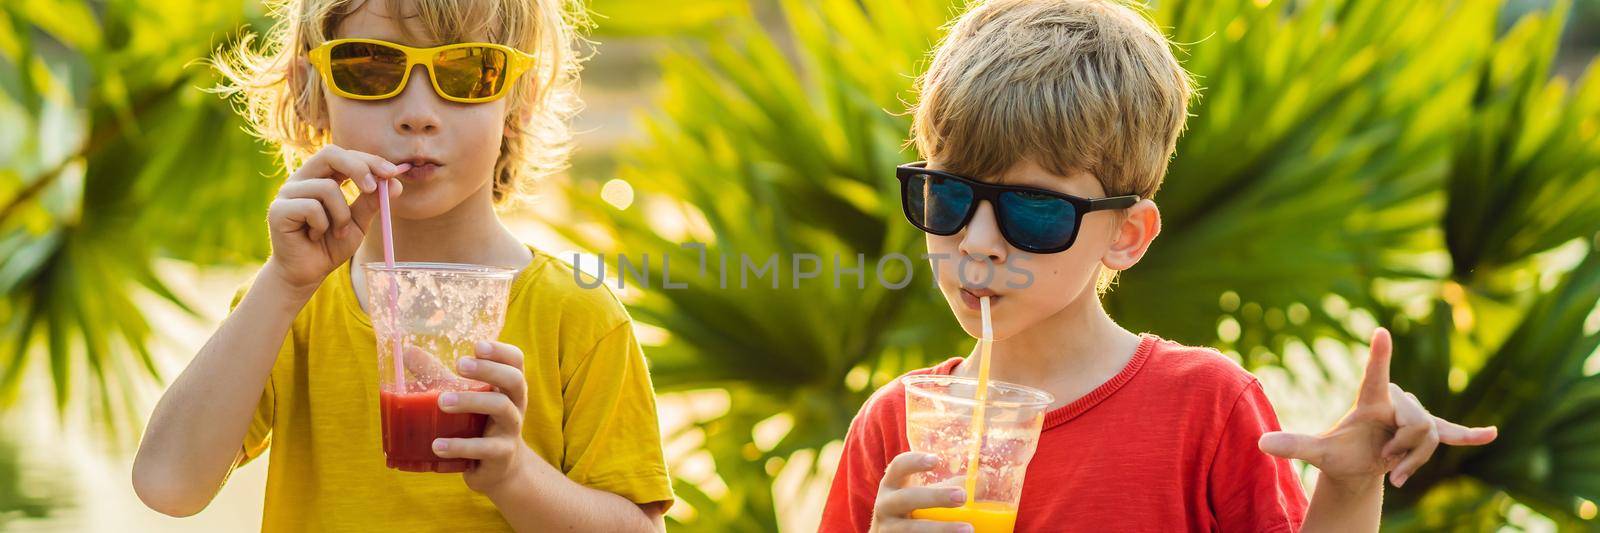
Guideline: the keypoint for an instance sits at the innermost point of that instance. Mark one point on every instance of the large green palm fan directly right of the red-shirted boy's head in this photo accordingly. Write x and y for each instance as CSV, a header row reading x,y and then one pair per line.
x,y
1316,148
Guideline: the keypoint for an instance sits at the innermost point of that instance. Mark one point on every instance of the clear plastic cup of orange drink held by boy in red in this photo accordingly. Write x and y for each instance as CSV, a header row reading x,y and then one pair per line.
x,y
940,422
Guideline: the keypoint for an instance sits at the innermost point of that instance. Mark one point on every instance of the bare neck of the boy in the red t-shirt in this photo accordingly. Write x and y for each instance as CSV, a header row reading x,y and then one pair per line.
x,y
1068,355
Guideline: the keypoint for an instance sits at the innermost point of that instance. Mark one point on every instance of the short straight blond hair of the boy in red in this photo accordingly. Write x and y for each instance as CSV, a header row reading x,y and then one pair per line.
x,y
1073,86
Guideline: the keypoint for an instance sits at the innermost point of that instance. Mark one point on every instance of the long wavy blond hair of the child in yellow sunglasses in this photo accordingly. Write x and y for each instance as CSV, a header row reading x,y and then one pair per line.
x,y
282,100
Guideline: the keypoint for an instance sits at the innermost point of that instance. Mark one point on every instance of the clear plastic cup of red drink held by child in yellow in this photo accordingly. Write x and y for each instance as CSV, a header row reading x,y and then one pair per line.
x,y
434,315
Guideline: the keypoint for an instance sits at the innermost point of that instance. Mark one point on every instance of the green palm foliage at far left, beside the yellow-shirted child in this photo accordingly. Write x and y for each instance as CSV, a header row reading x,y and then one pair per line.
x,y
113,158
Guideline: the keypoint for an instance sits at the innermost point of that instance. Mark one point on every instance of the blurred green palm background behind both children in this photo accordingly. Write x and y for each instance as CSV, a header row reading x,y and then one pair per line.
x,y
1426,166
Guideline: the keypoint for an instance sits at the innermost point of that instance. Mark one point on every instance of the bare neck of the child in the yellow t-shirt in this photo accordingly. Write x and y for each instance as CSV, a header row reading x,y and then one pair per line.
x,y
470,233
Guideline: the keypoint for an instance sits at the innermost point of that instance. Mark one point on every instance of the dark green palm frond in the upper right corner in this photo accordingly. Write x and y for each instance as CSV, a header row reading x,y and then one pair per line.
x,y
1526,169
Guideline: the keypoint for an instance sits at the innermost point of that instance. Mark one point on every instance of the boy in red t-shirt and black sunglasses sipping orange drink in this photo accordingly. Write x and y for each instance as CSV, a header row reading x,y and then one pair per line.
x,y
1047,126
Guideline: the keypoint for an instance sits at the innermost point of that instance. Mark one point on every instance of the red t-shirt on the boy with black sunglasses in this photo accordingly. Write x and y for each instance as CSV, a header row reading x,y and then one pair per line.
x,y
1166,446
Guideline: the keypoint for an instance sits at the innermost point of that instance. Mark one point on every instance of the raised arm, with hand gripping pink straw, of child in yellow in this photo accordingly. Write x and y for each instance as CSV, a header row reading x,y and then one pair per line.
x,y
198,431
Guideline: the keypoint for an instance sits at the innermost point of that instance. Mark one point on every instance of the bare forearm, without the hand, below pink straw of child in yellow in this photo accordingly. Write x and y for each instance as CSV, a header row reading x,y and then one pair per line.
x,y
196,433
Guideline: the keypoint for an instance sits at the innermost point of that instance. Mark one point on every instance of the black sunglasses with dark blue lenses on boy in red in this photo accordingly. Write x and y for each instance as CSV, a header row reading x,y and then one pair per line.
x,y
1031,220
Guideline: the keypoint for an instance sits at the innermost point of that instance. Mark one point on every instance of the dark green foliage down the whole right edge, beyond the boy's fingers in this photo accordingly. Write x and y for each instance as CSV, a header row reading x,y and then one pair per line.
x,y
1522,182
